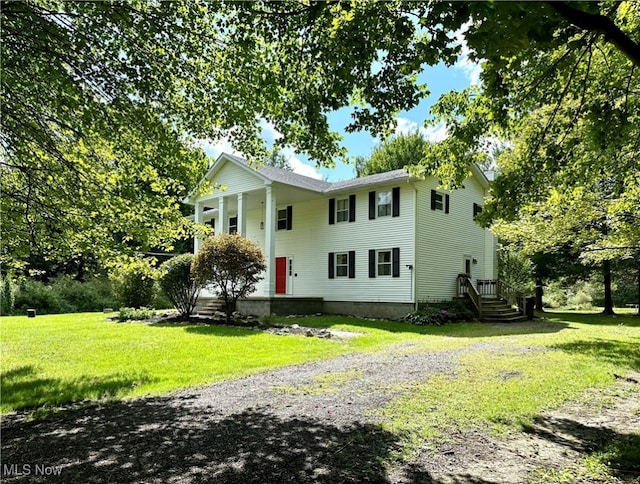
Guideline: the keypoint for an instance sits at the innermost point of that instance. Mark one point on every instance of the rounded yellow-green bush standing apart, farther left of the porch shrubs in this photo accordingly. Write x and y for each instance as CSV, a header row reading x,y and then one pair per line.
x,y
133,282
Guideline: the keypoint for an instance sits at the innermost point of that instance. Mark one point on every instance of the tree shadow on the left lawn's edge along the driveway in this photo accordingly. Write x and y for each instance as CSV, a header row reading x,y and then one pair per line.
x,y
23,388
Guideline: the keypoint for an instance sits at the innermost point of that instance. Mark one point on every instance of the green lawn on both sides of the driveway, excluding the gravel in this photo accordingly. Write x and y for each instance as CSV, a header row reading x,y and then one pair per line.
x,y
51,360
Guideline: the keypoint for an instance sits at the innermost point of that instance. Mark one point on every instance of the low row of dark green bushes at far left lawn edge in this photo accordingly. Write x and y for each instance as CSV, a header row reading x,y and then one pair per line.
x,y
64,295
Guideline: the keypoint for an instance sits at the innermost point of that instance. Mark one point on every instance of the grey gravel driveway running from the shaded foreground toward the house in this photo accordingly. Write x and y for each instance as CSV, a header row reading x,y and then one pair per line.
x,y
309,423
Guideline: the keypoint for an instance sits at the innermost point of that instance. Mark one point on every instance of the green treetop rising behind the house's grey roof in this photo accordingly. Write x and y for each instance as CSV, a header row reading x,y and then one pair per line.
x,y
393,154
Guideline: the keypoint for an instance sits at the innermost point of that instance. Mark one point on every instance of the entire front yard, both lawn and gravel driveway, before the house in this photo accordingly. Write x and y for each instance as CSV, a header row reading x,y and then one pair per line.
x,y
430,396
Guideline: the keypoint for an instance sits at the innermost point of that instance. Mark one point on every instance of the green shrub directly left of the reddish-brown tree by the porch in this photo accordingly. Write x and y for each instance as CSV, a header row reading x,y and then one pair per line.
x,y
177,282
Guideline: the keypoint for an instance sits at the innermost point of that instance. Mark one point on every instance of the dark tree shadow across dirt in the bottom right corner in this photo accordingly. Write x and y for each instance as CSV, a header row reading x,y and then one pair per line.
x,y
619,452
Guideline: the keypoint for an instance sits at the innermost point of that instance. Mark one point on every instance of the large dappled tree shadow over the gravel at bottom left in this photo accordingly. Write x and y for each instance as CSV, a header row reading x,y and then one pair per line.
x,y
167,440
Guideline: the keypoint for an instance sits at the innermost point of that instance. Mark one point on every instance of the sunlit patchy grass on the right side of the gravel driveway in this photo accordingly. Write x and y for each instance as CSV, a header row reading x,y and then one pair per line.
x,y
501,390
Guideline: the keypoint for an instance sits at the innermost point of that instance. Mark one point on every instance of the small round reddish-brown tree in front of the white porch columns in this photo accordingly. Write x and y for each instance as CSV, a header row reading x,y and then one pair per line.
x,y
232,263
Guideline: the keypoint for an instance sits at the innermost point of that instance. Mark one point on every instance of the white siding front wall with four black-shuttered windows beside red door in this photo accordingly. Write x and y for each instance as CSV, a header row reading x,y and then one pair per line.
x,y
312,238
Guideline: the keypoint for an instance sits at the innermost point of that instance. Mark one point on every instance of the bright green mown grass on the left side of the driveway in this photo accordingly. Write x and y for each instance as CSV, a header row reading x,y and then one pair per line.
x,y
52,360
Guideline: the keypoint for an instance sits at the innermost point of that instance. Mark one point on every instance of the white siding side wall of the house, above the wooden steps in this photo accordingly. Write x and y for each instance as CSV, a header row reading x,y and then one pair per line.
x,y
444,239
